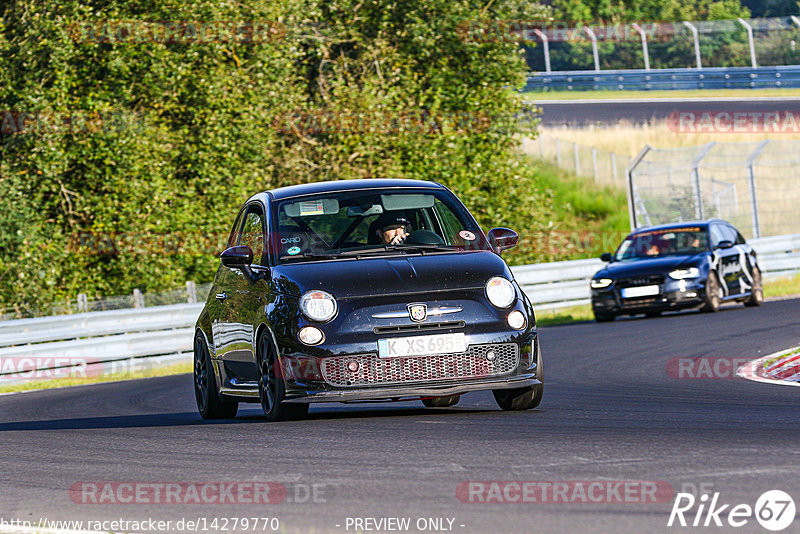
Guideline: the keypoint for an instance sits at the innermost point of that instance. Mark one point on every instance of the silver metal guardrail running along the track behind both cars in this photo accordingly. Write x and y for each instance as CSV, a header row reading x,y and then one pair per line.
x,y
111,336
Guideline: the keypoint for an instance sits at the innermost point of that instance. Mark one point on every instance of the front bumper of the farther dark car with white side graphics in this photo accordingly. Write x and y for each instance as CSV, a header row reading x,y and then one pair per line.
x,y
673,295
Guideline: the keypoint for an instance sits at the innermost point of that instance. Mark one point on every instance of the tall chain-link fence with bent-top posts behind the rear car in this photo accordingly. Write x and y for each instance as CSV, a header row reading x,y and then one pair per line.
x,y
755,186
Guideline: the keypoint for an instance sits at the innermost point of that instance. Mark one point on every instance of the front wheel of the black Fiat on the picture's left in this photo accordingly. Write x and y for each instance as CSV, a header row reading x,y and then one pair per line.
x,y
272,386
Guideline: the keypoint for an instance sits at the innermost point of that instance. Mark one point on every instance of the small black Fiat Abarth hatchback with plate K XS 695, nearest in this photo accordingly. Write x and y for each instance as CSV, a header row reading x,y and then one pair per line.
x,y
363,290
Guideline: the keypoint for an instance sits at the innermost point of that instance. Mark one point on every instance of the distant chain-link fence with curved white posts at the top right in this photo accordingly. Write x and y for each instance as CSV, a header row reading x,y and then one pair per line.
x,y
690,44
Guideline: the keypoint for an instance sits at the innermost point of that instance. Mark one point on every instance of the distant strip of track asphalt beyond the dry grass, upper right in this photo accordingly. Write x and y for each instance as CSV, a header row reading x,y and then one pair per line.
x,y
583,113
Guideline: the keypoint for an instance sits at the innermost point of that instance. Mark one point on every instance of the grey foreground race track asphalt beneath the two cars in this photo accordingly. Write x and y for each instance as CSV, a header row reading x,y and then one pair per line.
x,y
611,412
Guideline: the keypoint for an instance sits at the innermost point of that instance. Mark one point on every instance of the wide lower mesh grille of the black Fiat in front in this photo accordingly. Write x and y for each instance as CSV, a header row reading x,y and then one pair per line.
x,y
373,370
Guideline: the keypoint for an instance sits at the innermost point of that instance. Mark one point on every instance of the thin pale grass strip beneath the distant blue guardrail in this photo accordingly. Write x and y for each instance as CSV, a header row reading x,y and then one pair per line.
x,y
637,95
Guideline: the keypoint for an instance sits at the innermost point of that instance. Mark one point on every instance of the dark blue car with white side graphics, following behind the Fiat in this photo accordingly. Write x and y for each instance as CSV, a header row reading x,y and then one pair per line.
x,y
674,266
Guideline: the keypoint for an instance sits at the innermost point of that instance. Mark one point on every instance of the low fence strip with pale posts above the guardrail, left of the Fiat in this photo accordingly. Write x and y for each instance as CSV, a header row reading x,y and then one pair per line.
x,y
192,293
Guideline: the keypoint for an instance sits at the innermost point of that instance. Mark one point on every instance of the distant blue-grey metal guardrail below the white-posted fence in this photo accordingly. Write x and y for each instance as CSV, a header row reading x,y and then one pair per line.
x,y
665,79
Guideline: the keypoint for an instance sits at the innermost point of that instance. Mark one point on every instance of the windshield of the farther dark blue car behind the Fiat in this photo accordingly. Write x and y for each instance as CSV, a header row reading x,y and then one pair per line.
x,y
665,242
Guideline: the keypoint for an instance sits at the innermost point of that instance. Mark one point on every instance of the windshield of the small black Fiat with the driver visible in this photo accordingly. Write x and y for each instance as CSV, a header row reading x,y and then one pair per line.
x,y
355,223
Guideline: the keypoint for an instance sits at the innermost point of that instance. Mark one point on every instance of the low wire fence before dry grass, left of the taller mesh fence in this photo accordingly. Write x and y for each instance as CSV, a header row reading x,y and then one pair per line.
x,y
603,166
